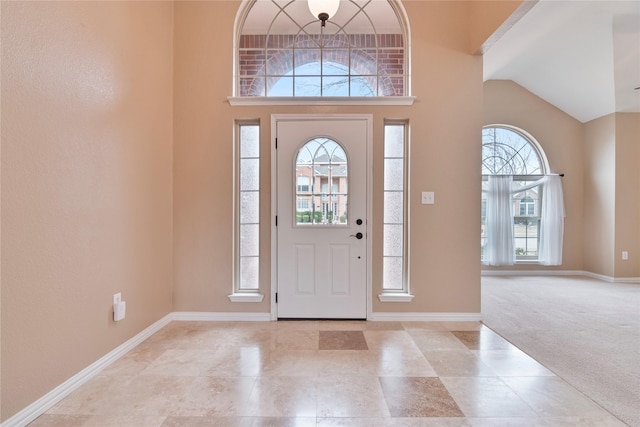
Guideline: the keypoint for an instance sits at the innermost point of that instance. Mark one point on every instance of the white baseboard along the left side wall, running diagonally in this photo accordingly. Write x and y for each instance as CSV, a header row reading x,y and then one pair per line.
x,y
47,401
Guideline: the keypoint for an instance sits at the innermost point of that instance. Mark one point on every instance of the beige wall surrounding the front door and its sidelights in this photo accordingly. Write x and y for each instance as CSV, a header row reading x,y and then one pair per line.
x,y
445,126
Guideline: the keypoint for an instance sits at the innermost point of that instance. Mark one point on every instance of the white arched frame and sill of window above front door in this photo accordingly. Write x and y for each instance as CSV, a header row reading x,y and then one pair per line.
x,y
236,100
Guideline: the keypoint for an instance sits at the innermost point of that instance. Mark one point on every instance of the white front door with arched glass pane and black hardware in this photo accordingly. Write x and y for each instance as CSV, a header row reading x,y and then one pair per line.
x,y
322,217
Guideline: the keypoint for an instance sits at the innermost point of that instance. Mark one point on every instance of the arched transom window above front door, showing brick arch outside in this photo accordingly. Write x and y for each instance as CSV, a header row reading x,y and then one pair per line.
x,y
284,51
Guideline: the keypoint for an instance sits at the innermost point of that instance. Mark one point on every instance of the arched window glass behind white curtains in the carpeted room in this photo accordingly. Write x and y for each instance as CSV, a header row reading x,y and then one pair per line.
x,y
511,152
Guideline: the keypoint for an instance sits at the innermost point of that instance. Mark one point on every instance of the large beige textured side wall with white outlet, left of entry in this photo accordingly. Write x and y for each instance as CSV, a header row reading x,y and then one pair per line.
x,y
86,184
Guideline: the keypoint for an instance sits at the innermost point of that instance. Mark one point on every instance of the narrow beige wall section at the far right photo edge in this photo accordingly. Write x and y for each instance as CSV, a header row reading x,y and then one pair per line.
x,y
627,204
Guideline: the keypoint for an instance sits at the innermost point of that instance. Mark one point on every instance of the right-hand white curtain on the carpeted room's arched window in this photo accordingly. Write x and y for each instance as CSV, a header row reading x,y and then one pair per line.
x,y
551,221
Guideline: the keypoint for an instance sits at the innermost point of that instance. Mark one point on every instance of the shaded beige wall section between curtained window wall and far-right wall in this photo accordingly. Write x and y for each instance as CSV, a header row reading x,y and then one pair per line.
x,y
600,195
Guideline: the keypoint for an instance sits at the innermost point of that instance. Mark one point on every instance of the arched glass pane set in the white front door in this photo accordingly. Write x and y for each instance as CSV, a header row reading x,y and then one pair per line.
x,y
323,163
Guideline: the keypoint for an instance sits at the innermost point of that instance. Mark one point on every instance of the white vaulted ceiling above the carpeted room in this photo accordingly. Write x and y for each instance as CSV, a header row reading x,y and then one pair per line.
x,y
581,56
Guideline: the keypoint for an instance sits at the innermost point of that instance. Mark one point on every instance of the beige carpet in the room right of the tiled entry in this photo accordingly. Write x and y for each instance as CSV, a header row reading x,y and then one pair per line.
x,y
584,330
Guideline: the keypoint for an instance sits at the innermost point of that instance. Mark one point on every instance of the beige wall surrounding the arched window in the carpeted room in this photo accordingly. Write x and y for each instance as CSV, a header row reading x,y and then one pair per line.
x,y
561,137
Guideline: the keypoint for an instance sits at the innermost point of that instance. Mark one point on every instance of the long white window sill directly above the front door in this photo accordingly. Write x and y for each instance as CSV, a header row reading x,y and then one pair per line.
x,y
320,100
